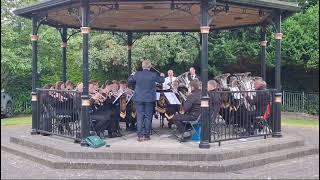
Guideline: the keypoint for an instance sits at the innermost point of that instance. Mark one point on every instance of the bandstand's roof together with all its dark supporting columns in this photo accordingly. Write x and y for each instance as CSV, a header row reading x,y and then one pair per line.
x,y
133,16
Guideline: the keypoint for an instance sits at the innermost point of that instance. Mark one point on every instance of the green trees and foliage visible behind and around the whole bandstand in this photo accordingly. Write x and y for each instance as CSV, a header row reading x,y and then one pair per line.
x,y
108,52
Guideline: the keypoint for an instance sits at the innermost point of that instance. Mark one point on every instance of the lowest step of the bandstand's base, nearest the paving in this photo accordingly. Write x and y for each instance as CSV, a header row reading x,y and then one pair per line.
x,y
235,164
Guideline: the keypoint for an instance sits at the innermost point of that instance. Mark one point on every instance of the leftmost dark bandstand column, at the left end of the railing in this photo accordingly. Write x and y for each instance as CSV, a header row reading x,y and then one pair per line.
x,y
34,97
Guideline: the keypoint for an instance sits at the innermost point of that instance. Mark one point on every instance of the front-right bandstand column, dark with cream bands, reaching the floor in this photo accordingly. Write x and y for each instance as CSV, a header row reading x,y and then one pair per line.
x,y
205,130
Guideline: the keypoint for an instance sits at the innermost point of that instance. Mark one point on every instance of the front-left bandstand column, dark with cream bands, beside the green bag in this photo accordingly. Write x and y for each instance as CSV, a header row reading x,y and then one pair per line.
x,y
85,30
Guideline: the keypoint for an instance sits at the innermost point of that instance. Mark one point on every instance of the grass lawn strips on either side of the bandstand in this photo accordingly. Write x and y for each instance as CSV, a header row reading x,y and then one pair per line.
x,y
291,122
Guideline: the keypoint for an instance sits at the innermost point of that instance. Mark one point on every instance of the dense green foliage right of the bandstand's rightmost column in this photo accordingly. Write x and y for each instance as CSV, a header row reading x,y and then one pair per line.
x,y
301,39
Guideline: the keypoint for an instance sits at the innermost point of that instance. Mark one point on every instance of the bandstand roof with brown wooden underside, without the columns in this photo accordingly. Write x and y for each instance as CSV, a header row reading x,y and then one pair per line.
x,y
157,15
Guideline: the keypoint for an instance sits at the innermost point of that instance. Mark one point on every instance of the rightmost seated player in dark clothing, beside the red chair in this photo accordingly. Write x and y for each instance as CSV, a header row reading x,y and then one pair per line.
x,y
260,100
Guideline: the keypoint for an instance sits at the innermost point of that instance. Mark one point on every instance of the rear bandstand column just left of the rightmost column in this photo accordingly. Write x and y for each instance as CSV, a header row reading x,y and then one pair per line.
x,y
263,45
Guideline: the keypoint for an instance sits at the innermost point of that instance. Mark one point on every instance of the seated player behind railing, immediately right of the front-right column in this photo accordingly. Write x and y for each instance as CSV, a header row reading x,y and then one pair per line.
x,y
215,99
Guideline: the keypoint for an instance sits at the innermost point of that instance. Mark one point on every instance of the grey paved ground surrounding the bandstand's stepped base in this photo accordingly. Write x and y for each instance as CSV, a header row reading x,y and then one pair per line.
x,y
14,167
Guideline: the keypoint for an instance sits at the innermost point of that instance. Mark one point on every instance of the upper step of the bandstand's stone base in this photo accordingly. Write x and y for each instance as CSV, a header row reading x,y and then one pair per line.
x,y
217,154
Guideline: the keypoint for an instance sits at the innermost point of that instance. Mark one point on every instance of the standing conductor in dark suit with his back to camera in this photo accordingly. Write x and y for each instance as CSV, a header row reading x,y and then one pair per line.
x,y
145,97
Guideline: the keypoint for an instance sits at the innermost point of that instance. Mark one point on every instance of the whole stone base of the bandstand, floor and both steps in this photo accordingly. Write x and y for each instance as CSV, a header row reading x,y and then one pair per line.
x,y
162,153
